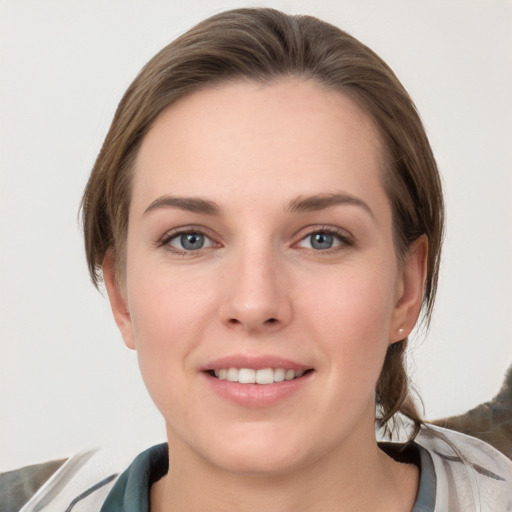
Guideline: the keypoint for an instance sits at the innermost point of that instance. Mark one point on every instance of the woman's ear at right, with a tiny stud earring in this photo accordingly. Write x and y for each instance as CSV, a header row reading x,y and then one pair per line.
x,y
409,291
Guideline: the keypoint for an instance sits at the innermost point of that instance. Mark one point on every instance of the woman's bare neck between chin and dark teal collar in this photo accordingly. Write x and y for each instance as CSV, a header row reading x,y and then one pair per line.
x,y
344,480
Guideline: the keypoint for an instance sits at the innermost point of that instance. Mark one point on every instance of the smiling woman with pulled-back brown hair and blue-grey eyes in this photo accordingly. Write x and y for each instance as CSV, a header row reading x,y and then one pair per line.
x,y
267,217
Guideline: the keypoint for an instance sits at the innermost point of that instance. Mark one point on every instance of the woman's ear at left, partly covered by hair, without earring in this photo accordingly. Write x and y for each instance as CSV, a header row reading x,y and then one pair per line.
x,y
117,297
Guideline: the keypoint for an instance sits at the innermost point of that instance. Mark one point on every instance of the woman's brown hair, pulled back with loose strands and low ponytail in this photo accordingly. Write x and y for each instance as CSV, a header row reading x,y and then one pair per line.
x,y
263,45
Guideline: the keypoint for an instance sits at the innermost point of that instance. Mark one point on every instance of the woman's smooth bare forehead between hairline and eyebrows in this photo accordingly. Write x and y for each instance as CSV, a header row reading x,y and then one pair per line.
x,y
294,136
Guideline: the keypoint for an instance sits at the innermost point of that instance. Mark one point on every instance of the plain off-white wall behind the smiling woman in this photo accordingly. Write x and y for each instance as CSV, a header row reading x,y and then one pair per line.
x,y
66,380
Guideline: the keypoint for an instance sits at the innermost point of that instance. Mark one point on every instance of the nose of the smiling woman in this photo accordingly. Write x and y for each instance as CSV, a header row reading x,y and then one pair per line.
x,y
257,297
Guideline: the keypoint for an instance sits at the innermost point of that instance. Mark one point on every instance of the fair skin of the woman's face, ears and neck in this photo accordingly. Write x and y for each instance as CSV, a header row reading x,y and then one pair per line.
x,y
259,287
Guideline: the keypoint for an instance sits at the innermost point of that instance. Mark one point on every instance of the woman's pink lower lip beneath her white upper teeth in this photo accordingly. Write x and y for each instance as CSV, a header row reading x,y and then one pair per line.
x,y
257,395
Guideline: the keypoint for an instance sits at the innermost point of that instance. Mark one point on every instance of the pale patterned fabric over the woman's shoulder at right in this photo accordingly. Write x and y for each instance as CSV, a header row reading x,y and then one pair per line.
x,y
470,474
